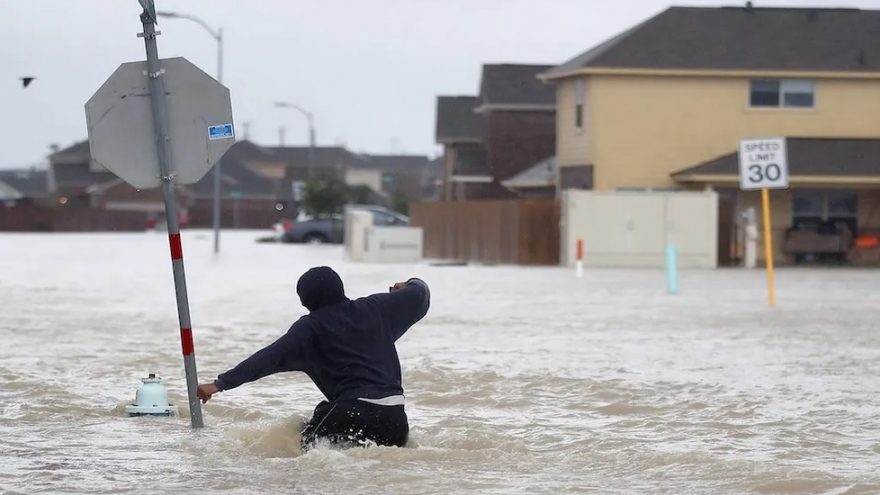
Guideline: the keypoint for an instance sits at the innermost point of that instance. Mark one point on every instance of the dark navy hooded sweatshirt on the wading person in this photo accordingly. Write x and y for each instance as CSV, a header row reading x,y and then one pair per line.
x,y
345,346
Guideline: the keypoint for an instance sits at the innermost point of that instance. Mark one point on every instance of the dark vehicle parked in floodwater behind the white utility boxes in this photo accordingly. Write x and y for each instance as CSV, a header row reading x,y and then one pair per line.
x,y
331,230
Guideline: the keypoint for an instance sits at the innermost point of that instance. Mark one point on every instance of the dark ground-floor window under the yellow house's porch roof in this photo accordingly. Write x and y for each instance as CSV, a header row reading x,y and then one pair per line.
x,y
816,209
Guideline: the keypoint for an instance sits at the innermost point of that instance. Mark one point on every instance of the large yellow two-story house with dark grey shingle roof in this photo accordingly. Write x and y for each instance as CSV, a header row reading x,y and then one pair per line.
x,y
665,103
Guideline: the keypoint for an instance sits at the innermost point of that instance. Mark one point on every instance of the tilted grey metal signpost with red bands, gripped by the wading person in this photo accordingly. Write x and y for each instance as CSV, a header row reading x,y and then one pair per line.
x,y
163,150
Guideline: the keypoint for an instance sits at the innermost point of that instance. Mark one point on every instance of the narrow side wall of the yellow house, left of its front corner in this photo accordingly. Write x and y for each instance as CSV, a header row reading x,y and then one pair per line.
x,y
572,144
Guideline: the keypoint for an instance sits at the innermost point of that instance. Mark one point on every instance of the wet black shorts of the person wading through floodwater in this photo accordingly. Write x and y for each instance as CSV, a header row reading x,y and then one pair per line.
x,y
356,423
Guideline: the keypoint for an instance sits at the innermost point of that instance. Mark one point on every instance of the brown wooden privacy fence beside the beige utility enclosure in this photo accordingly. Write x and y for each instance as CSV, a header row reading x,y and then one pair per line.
x,y
522,232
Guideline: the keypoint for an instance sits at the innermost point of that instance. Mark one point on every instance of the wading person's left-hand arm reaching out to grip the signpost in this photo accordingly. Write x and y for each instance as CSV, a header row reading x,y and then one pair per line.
x,y
288,353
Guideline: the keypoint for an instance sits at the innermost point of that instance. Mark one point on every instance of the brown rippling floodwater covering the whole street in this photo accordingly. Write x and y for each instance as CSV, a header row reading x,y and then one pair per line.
x,y
519,380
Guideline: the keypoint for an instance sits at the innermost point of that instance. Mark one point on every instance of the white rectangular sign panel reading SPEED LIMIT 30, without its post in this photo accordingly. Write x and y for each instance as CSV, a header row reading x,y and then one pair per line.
x,y
763,164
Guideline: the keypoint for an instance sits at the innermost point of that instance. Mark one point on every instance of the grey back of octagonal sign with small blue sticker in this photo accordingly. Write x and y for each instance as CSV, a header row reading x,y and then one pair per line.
x,y
122,138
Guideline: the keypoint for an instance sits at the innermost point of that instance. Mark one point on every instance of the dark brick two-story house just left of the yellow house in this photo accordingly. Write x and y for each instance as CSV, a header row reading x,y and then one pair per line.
x,y
504,130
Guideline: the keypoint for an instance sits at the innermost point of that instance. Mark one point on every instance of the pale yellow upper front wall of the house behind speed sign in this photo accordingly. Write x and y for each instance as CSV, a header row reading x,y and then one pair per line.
x,y
644,128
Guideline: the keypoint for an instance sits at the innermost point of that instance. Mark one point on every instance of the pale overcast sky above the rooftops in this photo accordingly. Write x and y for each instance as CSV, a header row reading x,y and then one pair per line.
x,y
370,70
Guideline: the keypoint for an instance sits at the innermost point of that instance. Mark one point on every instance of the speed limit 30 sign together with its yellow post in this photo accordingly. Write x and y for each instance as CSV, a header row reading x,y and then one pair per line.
x,y
763,164
